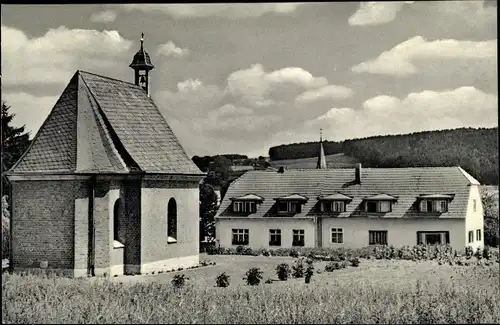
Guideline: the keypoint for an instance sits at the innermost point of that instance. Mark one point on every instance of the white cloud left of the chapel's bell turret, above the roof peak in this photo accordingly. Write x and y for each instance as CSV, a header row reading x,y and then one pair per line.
x,y
59,53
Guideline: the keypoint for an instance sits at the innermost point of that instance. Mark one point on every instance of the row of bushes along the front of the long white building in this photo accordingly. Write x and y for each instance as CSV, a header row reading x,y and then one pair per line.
x,y
417,252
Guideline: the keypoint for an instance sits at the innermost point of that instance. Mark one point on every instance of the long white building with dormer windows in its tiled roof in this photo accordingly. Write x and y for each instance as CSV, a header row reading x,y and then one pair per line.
x,y
352,208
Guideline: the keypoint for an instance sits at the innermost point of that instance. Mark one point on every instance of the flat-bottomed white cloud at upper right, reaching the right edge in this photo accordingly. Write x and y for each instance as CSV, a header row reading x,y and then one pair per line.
x,y
399,61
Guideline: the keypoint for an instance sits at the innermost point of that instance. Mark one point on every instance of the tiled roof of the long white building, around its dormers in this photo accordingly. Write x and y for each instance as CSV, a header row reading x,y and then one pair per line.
x,y
407,184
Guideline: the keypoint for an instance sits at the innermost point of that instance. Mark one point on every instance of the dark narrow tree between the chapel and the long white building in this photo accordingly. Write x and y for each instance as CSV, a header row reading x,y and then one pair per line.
x,y
208,209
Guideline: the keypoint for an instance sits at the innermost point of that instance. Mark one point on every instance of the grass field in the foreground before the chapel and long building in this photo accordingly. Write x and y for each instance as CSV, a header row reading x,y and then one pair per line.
x,y
378,291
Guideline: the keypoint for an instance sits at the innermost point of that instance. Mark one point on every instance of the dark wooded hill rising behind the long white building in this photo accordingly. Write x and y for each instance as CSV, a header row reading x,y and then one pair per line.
x,y
475,150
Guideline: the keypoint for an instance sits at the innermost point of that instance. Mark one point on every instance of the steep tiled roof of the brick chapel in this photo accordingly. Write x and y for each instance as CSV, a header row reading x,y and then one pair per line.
x,y
104,125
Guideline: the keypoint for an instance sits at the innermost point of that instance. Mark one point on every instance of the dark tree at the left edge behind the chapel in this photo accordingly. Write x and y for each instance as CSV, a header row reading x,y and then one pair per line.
x,y
15,141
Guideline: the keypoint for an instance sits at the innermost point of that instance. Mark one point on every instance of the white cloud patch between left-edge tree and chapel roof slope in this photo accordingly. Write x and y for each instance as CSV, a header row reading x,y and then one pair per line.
x,y
29,110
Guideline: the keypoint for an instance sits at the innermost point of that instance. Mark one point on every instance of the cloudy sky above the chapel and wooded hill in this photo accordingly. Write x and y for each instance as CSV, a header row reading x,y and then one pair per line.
x,y
240,78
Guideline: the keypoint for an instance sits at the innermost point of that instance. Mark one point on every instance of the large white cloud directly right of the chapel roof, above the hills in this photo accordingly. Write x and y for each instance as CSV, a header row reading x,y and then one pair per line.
x,y
248,111
